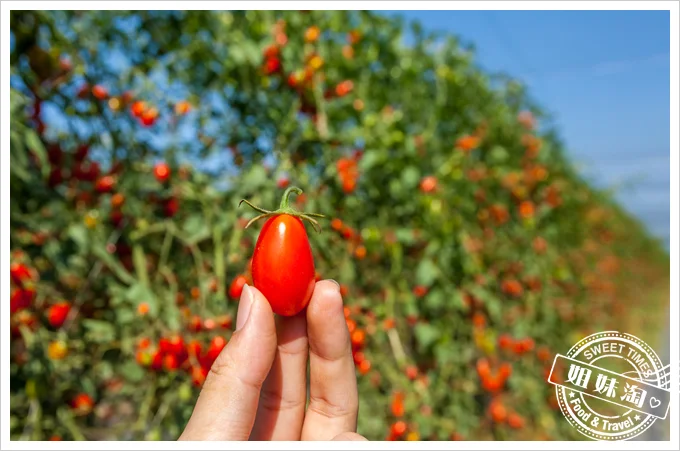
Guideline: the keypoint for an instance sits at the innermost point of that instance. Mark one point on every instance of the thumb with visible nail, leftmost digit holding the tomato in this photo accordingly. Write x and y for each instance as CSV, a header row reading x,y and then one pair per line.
x,y
227,405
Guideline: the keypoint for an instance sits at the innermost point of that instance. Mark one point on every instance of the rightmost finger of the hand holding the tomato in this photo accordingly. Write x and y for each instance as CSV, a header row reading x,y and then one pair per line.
x,y
334,401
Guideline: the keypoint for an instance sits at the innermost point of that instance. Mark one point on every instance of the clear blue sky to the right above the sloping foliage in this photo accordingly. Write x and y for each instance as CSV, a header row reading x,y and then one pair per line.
x,y
603,75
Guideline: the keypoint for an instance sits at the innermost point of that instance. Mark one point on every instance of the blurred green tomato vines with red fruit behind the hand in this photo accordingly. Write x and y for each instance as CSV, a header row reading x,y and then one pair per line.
x,y
468,249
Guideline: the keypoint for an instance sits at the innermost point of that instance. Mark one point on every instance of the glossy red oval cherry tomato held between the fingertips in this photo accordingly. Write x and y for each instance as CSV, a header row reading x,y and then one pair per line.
x,y
283,265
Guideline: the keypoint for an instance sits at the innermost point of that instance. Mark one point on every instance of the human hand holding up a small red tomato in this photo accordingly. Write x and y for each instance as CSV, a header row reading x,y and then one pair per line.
x,y
257,387
